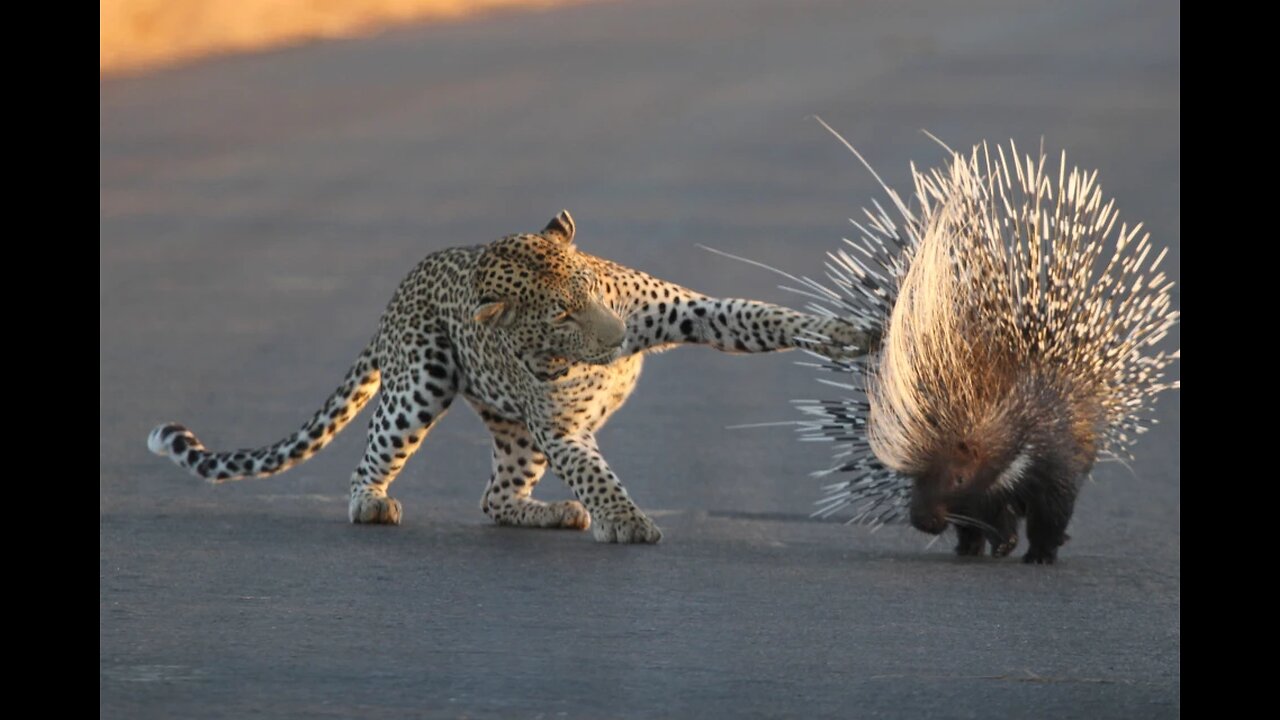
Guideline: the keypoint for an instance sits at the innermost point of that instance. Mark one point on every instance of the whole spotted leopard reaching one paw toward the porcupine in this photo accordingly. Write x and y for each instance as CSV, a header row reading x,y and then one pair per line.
x,y
545,343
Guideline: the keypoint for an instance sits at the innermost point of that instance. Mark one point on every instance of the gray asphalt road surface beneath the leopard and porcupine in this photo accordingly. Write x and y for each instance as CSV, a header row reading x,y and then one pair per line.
x,y
258,212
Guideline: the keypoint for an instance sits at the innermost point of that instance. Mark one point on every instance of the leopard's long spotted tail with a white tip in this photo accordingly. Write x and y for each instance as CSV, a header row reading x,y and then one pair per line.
x,y
185,449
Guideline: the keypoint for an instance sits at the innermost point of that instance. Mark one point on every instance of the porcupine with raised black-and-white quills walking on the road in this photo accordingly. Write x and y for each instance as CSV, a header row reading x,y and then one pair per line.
x,y
1020,347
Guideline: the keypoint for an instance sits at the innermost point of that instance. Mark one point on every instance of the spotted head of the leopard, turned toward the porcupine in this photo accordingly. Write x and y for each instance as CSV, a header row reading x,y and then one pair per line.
x,y
546,298
